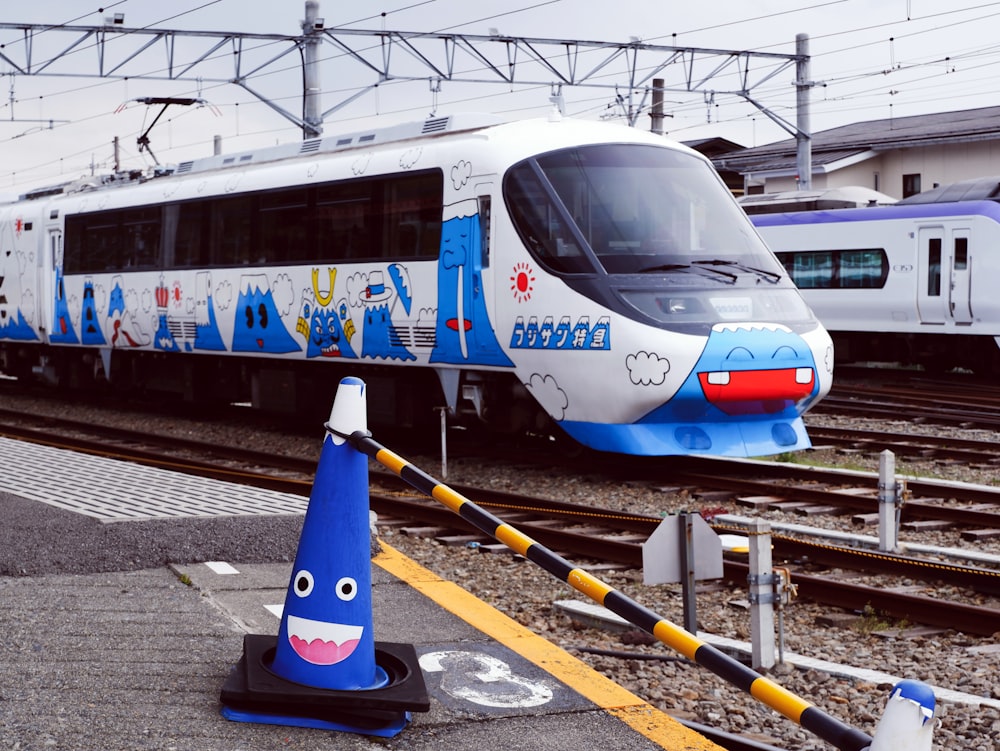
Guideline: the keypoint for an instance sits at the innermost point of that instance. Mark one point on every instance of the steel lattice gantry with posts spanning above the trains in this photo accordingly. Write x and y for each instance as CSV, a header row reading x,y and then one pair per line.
x,y
633,70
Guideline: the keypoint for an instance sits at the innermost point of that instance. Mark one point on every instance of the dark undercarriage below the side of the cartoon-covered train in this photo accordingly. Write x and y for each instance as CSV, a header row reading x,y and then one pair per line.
x,y
405,397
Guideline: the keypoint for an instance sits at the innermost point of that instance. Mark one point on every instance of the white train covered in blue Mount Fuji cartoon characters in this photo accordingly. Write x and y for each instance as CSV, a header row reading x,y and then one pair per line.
x,y
544,273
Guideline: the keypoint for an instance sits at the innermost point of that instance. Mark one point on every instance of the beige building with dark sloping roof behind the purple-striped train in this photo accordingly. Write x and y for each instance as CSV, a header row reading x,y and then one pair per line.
x,y
898,156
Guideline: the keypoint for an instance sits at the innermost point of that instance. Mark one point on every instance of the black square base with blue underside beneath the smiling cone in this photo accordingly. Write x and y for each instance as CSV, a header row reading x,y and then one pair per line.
x,y
254,693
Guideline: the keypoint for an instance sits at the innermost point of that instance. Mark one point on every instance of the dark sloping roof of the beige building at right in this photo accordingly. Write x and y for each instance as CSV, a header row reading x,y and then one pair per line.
x,y
836,144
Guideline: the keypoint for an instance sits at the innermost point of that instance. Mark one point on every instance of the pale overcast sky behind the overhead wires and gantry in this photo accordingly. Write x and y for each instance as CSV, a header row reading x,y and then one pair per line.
x,y
870,59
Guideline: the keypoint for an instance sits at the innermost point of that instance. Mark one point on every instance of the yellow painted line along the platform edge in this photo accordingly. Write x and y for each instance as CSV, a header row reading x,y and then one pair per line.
x,y
605,693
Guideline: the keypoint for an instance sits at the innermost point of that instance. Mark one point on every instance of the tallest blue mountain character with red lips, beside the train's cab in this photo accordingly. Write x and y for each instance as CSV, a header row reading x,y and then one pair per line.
x,y
464,332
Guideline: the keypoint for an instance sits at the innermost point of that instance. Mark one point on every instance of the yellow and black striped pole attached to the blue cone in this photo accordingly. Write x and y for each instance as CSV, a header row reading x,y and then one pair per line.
x,y
763,689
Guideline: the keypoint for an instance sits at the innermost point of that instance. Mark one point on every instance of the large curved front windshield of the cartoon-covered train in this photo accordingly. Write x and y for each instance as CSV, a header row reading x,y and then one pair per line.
x,y
639,213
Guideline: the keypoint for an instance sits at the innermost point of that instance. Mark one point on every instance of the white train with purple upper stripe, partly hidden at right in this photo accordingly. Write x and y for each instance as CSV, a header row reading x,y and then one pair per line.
x,y
911,283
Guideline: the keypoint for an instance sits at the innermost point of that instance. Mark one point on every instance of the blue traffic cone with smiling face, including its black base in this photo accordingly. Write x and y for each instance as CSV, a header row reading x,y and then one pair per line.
x,y
325,669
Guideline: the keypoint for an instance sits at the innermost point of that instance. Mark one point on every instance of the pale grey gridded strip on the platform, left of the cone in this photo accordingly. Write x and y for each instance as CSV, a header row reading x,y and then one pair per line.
x,y
113,490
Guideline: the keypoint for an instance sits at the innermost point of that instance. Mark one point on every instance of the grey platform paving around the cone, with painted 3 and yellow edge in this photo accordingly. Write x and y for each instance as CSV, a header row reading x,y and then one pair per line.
x,y
136,660
